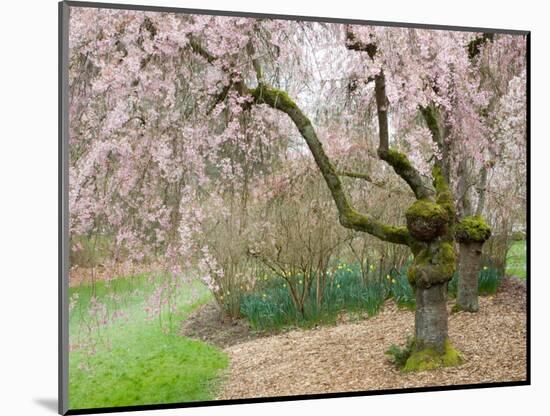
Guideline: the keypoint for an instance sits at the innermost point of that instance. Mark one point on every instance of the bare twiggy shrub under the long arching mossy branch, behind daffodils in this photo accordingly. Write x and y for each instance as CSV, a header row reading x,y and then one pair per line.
x,y
297,236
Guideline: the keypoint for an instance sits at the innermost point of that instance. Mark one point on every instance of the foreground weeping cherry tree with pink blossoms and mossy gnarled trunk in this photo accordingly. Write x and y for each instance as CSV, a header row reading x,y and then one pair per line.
x,y
166,108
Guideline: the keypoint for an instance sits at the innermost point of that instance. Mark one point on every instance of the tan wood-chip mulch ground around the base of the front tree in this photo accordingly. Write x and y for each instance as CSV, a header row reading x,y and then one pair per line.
x,y
350,356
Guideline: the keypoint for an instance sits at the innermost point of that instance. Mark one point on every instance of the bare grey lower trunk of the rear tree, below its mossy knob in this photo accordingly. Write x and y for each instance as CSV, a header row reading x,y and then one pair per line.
x,y
468,267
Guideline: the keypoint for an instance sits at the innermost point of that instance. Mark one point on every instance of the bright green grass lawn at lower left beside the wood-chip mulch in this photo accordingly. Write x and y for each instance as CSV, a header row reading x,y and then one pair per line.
x,y
135,362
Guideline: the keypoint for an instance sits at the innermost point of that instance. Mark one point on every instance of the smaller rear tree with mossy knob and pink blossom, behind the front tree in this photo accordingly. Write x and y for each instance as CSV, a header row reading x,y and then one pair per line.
x,y
497,72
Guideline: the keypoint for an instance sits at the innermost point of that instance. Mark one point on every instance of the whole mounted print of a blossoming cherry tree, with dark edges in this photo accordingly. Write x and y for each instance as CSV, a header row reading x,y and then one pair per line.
x,y
259,207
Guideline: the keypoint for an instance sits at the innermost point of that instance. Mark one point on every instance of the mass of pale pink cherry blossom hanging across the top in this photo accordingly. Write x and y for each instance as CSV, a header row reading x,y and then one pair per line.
x,y
149,144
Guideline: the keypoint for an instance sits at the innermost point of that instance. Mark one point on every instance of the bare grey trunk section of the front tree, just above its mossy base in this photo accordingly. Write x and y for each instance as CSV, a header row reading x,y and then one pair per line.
x,y
431,317
